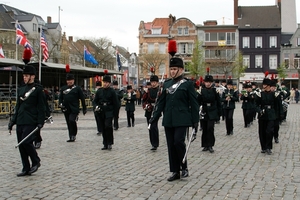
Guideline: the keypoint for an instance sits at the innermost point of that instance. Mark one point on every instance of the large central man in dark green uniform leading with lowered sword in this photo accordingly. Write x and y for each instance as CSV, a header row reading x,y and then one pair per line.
x,y
180,109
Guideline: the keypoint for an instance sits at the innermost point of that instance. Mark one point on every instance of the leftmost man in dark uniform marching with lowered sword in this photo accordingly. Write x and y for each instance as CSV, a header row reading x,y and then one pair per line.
x,y
29,114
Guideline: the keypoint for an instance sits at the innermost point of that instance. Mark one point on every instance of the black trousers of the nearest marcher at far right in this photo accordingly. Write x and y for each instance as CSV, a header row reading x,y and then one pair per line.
x,y
266,131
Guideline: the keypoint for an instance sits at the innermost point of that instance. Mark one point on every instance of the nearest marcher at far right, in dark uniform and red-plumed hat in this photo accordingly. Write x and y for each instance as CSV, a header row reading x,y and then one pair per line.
x,y
266,102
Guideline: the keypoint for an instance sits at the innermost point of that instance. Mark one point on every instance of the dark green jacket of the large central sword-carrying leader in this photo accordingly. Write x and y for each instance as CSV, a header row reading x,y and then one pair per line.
x,y
181,108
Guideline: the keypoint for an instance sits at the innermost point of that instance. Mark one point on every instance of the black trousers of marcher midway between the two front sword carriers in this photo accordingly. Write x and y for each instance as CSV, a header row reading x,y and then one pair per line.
x,y
107,131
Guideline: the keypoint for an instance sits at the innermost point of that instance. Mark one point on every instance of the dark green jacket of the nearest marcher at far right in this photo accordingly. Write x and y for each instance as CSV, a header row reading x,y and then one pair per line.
x,y
267,102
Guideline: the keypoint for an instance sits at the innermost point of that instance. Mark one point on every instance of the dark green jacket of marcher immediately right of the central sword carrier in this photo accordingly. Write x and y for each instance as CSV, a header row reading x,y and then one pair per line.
x,y
209,99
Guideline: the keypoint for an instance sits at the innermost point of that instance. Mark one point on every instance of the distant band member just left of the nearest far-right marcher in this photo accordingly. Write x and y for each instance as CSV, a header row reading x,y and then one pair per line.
x,y
247,97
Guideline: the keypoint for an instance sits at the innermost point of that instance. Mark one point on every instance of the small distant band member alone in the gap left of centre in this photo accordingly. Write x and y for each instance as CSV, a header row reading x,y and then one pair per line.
x,y
130,98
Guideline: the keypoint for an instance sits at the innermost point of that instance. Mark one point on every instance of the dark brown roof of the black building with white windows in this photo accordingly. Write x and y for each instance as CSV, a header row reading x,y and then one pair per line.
x,y
254,17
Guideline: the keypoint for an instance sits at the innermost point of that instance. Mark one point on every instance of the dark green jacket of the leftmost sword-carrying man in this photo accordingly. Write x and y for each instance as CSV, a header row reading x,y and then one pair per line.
x,y
32,110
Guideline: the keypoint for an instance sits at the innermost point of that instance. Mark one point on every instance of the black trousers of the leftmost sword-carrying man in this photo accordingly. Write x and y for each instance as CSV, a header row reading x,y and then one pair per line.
x,y
27,149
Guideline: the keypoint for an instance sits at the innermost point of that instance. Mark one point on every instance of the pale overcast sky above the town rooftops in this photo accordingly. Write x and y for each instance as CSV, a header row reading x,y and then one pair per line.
x,y
119,20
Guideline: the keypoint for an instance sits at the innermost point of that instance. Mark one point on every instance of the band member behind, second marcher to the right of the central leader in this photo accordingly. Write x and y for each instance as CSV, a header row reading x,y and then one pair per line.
x,y
229,97
